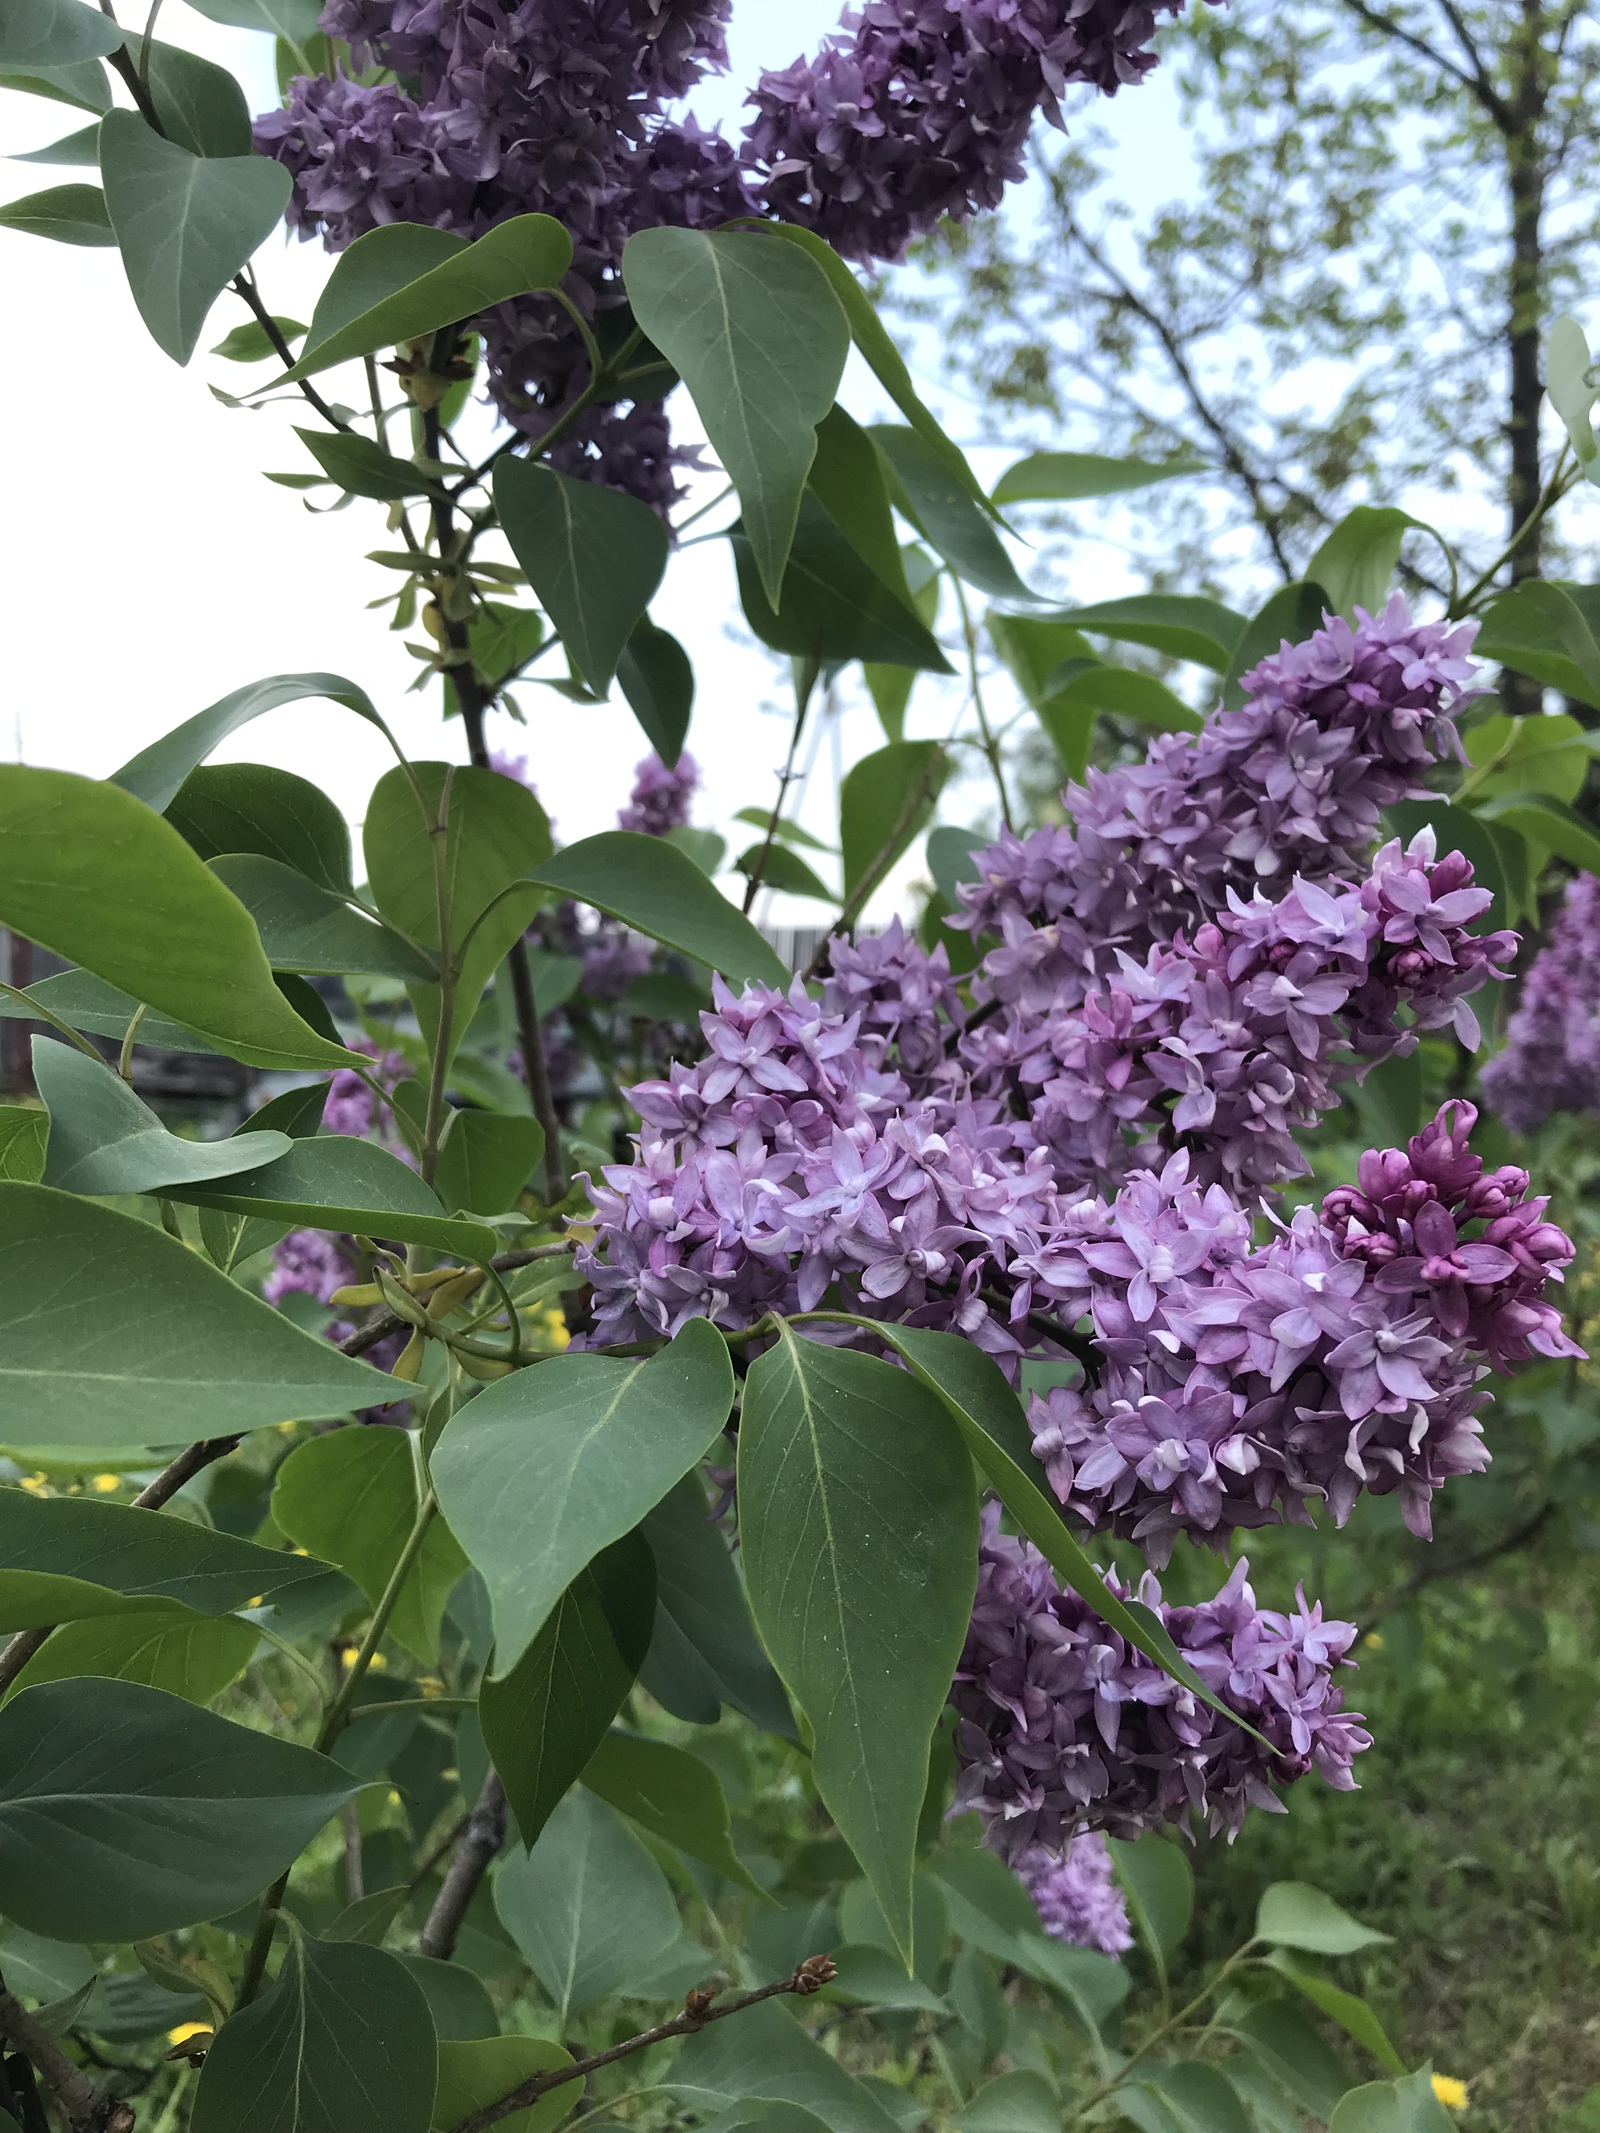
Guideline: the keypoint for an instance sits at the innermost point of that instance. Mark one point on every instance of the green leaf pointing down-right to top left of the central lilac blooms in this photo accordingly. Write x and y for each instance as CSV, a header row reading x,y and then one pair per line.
x,y
658,891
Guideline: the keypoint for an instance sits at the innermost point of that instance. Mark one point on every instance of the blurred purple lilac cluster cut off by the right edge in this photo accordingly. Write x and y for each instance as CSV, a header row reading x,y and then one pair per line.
x,y
1552,1057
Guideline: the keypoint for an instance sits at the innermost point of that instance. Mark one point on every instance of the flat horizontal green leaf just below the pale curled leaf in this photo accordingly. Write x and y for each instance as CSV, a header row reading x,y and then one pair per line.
x,y
340,1183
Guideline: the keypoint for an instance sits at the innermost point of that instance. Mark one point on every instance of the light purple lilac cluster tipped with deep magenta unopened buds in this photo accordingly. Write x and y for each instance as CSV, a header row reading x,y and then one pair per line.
x,y
1243,1383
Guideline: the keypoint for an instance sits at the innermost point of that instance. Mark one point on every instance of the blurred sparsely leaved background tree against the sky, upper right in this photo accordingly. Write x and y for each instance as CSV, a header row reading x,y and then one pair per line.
x,y
1345,300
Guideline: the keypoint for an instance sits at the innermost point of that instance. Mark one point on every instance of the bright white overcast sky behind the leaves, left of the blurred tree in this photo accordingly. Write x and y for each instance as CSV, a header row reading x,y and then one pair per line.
x,y
150,568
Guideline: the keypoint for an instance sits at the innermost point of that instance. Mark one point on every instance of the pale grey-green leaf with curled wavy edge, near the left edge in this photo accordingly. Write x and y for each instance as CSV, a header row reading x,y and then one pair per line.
x,y
108,1140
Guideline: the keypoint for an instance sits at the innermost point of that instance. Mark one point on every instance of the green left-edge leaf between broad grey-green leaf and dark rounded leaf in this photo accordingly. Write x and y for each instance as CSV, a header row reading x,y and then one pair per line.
x,y
69,1558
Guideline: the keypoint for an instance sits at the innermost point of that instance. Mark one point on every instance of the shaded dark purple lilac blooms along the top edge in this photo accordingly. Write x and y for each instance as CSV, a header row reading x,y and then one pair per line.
x,y
562,108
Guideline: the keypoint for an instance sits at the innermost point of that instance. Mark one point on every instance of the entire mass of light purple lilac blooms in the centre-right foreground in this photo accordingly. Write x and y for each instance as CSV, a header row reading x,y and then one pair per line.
x,y
1074,1168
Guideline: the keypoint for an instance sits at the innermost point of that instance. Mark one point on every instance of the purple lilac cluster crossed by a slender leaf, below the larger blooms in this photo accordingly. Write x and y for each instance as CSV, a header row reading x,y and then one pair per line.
x,y
1066,1729
